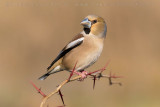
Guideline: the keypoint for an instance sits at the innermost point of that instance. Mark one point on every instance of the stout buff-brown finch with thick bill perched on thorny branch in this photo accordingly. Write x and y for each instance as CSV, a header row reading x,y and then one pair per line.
x,y
83,50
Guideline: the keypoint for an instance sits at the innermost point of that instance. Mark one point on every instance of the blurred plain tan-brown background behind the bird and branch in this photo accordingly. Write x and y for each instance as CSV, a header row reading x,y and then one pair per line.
x,y
32,32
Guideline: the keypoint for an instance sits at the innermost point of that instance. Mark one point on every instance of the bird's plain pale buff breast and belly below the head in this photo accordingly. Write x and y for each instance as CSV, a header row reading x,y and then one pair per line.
x,y
84,55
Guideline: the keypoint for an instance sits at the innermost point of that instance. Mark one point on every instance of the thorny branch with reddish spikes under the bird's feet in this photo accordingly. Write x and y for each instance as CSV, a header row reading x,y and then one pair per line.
x,y
95,75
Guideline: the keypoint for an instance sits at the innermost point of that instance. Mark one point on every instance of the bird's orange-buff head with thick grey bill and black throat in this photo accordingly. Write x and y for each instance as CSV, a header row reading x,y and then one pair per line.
x,y
95,25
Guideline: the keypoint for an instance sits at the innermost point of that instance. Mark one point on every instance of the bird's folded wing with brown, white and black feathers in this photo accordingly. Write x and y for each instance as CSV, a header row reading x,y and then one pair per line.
x,y
76,41
